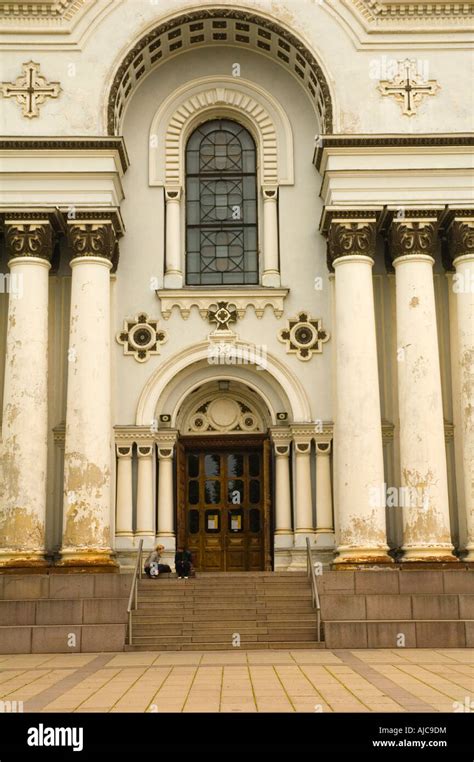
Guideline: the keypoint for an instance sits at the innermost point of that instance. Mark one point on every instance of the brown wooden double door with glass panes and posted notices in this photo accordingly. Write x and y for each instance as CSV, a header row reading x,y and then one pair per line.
x,y
224,502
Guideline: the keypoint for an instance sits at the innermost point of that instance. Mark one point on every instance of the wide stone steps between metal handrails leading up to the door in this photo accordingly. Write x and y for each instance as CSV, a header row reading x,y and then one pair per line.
x,y
224,611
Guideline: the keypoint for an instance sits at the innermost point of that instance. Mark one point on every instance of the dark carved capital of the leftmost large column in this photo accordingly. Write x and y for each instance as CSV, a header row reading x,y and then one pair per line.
x,y
30,233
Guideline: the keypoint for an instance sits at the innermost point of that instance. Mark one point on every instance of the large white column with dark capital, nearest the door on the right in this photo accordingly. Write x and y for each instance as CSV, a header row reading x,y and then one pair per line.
x,y
359,474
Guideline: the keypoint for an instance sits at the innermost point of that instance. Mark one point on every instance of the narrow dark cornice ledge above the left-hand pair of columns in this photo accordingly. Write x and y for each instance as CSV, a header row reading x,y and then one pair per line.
x,y
59,145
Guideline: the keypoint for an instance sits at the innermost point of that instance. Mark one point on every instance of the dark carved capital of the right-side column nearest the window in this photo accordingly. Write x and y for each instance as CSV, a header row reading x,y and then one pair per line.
x,y
351,234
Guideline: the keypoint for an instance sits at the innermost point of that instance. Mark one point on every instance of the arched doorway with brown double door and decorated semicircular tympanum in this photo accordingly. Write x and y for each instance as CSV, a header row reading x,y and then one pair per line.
x,y
223,480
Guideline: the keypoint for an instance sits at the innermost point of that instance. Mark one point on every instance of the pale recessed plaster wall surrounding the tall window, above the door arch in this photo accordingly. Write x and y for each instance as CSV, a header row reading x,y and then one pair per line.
x,y
302,248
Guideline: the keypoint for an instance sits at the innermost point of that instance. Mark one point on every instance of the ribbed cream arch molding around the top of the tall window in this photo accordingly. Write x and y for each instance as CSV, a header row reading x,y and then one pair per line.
x,y
223,97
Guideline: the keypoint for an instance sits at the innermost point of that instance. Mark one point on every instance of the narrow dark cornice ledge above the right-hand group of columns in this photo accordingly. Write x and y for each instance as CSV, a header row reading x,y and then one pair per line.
x,y
377,143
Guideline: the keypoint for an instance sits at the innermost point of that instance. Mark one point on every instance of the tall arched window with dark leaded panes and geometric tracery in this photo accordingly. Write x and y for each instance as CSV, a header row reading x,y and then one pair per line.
x,y
221,205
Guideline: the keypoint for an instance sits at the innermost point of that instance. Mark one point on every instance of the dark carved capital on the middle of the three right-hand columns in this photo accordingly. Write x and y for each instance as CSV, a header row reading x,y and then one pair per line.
x,y
415,234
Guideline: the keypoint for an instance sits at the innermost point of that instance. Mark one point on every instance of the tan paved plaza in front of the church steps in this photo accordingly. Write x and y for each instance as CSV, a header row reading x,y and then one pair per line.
x,y
403,680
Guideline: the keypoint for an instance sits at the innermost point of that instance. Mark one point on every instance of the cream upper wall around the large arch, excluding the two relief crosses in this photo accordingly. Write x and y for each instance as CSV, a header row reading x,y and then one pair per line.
x,y
86,71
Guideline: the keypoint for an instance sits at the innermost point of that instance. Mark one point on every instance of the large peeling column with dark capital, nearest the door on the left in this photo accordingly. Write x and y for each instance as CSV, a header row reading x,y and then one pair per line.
x,y
87,488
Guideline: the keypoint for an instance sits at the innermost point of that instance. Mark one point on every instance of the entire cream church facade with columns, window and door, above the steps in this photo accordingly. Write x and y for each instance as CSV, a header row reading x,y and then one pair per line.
x,y
237,283
